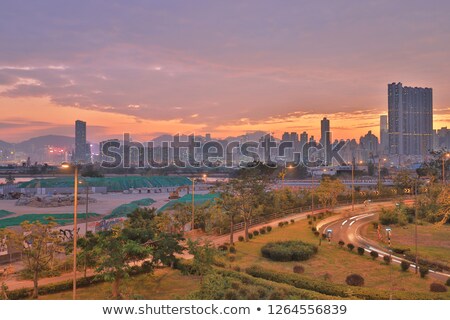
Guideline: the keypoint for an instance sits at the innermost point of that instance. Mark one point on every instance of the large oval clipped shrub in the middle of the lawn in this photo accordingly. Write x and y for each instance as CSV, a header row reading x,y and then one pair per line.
x,y
288,251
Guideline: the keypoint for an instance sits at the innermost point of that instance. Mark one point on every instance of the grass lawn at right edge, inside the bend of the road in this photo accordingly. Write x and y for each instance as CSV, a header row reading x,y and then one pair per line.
x,y
433,241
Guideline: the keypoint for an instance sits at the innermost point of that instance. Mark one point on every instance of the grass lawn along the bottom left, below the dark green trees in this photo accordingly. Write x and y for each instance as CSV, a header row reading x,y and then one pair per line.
x,y
163,284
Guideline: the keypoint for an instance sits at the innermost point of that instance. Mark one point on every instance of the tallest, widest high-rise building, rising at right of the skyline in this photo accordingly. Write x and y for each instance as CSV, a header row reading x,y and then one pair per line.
x,y
410,119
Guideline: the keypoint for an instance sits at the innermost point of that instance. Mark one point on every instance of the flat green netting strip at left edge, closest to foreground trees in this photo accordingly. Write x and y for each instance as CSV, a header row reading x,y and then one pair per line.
x,y
59,218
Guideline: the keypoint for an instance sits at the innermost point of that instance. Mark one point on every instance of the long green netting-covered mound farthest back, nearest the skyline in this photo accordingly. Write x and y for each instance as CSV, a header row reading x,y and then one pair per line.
x,y
113,184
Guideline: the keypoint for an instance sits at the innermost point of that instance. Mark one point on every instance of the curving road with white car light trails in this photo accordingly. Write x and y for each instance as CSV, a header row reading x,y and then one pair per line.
x,y
348,229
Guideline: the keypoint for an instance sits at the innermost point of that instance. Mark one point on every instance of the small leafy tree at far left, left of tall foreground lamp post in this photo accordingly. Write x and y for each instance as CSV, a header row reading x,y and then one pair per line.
x,y
40,243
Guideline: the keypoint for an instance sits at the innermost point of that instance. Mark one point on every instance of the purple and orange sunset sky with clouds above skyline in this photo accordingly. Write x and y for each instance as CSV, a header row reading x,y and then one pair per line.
x,y
223,67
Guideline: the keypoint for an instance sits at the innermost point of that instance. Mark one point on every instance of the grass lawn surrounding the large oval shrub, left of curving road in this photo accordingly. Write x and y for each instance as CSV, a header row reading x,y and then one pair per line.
x,y
331,263
